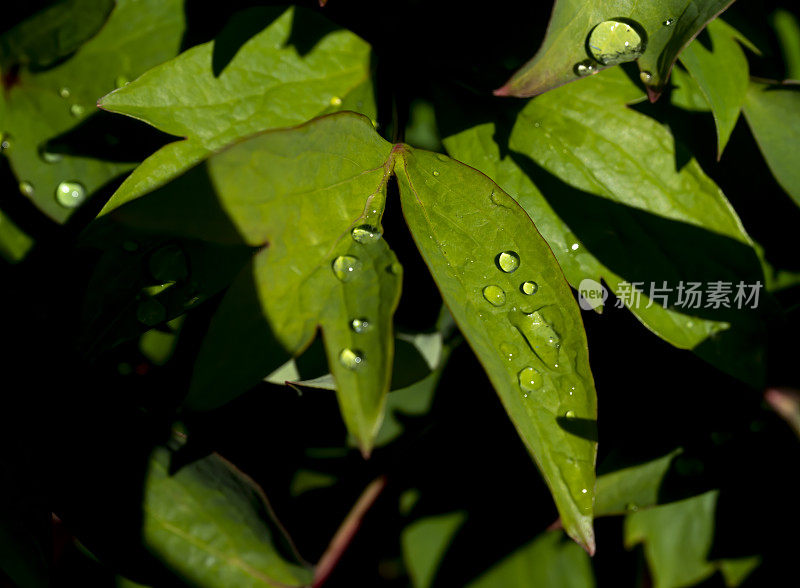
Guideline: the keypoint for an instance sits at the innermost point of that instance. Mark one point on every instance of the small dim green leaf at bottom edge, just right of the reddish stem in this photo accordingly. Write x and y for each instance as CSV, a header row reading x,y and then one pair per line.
x,y
424,543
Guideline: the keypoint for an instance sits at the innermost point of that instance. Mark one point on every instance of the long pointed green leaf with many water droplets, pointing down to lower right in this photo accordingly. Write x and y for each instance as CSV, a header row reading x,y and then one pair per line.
x,y
507,294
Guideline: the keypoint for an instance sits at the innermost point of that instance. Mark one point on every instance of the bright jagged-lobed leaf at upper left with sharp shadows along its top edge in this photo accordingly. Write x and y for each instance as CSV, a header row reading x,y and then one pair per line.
x,y
270,82
